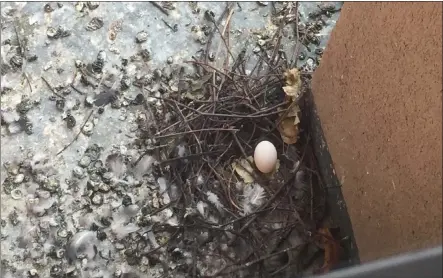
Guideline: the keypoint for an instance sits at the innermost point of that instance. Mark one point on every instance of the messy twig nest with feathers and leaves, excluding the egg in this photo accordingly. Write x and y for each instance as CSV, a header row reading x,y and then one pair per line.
x,y
245,222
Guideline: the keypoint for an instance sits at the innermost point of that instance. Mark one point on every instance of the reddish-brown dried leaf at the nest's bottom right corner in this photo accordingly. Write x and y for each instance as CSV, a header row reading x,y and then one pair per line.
x,y
332,249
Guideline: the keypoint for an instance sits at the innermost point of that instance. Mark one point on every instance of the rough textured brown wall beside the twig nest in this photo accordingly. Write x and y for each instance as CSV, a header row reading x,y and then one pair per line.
x,y
378,93
